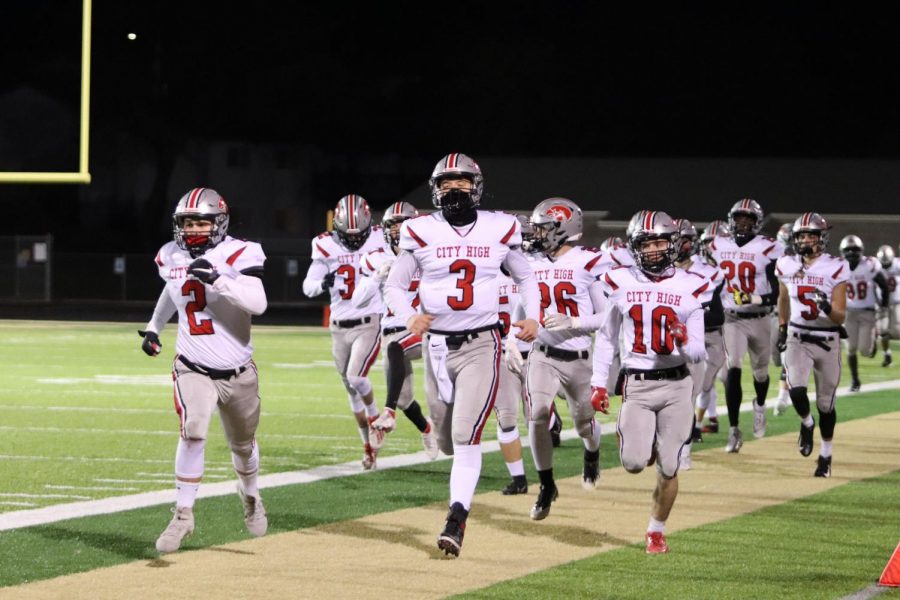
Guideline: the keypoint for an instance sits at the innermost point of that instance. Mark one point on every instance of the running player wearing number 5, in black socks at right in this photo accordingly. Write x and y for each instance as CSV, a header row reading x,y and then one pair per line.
x,y
811,309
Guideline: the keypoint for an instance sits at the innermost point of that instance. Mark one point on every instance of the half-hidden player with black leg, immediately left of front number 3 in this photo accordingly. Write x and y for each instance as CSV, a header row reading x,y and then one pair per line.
x,y
401,346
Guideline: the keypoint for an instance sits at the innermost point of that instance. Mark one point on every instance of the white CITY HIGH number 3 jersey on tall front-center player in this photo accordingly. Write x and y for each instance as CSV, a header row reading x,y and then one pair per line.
x,y
460,268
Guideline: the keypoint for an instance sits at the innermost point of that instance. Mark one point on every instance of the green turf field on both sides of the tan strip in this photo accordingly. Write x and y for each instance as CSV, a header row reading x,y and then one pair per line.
x,y
86,415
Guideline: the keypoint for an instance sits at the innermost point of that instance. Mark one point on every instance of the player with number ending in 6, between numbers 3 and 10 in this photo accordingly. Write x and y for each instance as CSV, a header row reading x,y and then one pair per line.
x,y
567,278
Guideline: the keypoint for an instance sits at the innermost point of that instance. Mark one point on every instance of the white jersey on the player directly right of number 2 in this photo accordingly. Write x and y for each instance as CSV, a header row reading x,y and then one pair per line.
x,y
328,250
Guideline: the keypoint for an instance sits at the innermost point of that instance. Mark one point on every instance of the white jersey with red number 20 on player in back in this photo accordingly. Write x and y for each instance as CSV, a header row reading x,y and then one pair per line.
x,y
744,268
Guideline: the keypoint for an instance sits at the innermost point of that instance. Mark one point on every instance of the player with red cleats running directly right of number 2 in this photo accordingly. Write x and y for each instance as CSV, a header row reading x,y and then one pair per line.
x,y
355,332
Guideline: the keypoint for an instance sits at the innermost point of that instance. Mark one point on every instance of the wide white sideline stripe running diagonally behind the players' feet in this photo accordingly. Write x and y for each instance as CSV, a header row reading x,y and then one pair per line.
x,y
74,510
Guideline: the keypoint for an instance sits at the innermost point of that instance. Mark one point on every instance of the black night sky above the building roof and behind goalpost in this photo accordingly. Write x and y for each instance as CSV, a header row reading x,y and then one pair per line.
x,y
539,78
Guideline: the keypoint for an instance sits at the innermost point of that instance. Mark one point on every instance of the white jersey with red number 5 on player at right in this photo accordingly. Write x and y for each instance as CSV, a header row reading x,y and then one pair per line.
x,y
803,281
